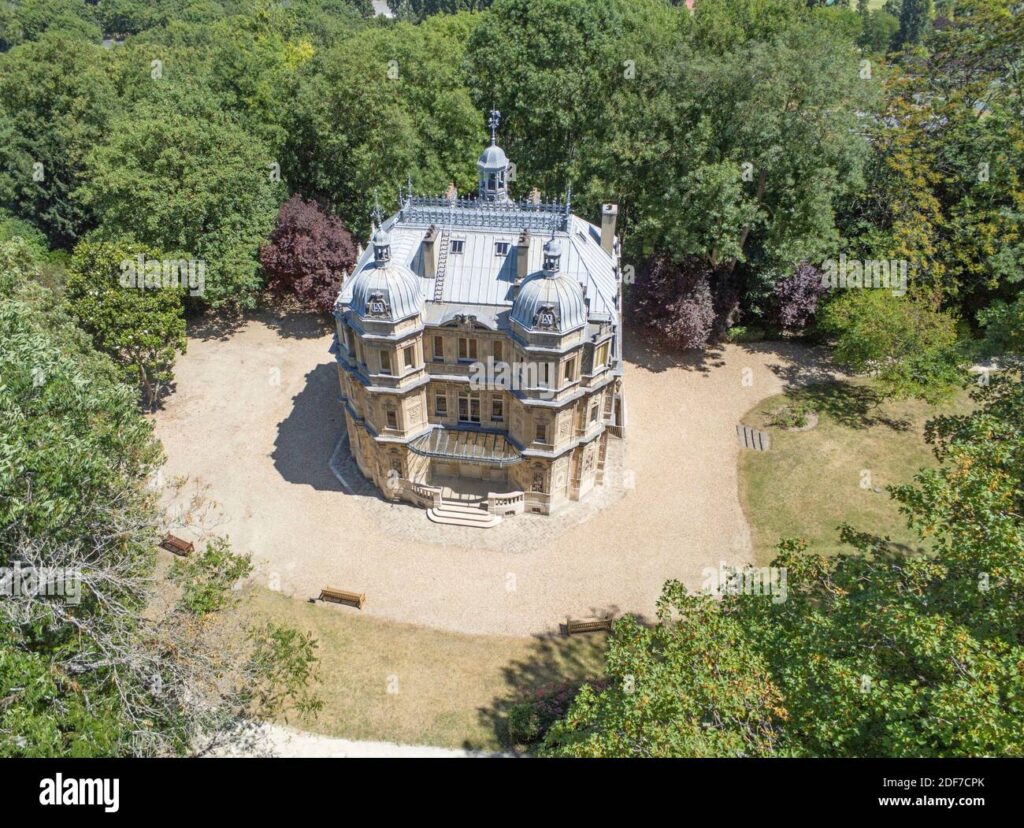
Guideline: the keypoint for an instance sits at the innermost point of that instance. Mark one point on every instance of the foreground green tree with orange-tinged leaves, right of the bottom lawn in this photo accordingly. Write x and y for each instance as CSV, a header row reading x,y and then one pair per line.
x,y
690,686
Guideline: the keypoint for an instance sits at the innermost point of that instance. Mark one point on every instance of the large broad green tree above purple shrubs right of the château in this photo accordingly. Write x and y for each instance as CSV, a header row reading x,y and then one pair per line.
x,y
740,143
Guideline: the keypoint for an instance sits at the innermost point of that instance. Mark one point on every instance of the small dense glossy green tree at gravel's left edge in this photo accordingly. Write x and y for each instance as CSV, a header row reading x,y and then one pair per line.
x,y
139,323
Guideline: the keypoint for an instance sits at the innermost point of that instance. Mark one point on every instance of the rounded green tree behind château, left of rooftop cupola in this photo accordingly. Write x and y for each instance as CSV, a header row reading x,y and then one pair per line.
x,y
378,109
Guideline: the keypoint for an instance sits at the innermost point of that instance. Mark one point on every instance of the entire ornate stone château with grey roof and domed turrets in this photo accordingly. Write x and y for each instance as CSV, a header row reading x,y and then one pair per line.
x,y
514,396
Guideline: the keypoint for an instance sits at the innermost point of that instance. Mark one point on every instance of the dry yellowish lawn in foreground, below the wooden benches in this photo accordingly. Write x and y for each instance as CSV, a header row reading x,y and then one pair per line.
x,y
394,682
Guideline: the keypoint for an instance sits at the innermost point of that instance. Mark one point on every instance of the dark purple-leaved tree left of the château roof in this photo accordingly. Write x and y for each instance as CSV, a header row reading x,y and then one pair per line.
x,y
308,254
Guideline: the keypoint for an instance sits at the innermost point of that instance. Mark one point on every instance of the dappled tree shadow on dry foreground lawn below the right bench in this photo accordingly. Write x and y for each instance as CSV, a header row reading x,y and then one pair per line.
x,y
549,678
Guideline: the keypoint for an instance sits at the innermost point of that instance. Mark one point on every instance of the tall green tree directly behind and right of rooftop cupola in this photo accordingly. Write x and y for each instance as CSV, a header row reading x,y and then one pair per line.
x,y
551,68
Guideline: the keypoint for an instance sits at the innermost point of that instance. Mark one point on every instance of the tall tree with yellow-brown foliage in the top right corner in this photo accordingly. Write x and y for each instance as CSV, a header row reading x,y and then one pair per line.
x,y
946,190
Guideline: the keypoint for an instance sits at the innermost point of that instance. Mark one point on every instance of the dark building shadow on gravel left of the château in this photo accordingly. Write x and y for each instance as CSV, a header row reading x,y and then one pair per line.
x,y
308,438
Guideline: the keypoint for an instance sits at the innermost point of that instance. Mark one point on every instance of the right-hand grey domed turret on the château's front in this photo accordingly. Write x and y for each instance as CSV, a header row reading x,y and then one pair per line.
x,y
550,301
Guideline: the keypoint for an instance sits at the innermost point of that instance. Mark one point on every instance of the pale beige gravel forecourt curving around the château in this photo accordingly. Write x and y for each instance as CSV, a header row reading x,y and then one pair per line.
x,y
255,420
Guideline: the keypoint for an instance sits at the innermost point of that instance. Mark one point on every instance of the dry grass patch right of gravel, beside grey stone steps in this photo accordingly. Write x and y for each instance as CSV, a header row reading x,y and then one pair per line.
x,y
810,482
